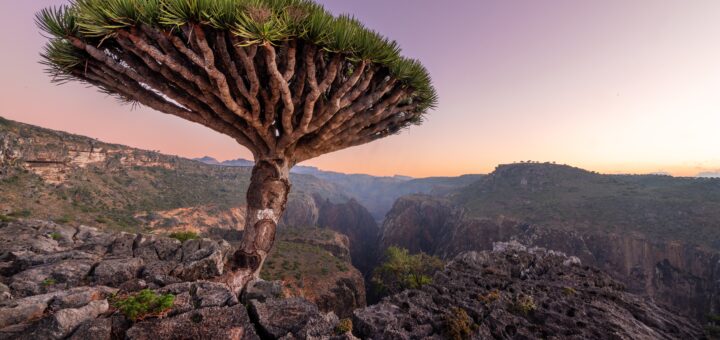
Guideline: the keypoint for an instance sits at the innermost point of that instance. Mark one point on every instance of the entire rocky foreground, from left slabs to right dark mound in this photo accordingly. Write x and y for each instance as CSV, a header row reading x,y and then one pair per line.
x,y
60,282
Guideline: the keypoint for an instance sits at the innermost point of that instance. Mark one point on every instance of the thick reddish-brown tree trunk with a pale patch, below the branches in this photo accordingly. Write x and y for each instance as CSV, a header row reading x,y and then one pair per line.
x,y
266,199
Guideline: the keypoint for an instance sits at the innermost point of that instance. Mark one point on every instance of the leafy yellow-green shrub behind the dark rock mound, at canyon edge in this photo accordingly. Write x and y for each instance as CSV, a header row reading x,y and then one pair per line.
x,y
401,271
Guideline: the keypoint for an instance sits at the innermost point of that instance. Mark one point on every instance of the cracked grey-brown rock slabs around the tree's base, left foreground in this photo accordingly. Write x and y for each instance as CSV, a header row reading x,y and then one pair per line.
x,y
60,282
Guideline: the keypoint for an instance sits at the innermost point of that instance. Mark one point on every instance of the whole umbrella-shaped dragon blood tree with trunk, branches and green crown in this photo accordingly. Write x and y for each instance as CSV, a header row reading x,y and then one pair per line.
x,y
284,78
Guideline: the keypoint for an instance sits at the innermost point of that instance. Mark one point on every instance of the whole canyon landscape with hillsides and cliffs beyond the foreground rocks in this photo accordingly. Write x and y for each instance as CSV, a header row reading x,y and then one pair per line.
x,y
657,235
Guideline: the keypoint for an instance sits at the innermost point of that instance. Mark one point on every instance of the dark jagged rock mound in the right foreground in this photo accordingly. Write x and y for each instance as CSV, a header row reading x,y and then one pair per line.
x,y
519,293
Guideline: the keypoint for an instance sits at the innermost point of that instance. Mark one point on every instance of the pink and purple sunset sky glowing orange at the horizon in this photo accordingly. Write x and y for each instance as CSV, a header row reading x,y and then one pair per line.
x,y
613,86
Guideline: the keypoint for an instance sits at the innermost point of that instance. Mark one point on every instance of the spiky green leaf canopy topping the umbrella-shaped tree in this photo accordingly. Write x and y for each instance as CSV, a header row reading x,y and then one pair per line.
x,y
255,21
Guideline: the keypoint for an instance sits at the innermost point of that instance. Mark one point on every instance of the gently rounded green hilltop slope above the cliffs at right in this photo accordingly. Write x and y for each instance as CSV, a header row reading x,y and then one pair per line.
x,y
655,206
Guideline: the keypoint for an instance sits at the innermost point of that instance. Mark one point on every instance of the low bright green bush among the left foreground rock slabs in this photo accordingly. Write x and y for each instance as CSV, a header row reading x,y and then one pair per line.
x,y
144,304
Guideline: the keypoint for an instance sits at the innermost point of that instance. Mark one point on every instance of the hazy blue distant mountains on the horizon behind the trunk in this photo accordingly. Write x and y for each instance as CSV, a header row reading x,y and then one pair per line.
x,y
376,193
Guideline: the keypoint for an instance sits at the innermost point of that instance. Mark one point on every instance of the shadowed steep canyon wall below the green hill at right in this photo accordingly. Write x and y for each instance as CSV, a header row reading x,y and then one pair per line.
x,y
676,274
